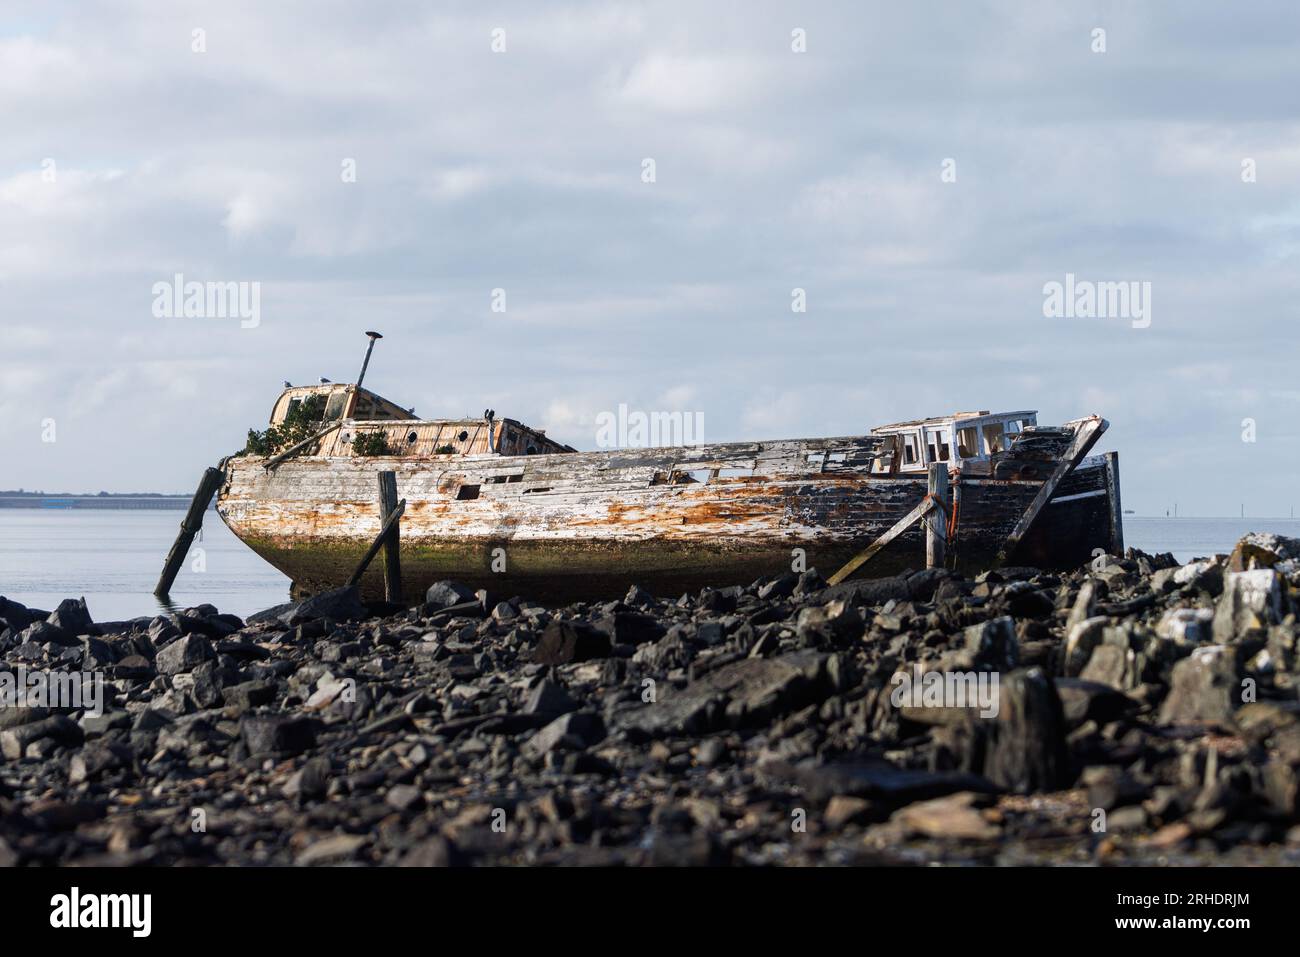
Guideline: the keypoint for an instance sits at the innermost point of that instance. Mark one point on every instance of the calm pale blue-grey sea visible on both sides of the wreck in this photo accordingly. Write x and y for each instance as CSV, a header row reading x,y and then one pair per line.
x,y
114,558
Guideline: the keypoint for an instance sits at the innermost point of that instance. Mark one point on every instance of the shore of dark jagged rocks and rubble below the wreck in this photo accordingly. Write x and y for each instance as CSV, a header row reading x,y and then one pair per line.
x,y
1142,712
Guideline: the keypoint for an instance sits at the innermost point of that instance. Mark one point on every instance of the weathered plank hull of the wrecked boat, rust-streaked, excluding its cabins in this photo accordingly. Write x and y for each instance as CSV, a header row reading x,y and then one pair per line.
x,y
590,525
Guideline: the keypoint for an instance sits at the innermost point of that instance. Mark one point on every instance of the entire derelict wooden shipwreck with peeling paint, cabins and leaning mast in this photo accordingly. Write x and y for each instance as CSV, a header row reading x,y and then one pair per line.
x,y
496,504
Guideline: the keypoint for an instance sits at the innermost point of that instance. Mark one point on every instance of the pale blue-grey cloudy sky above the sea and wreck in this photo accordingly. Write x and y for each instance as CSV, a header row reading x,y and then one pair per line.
x,y
553,210
